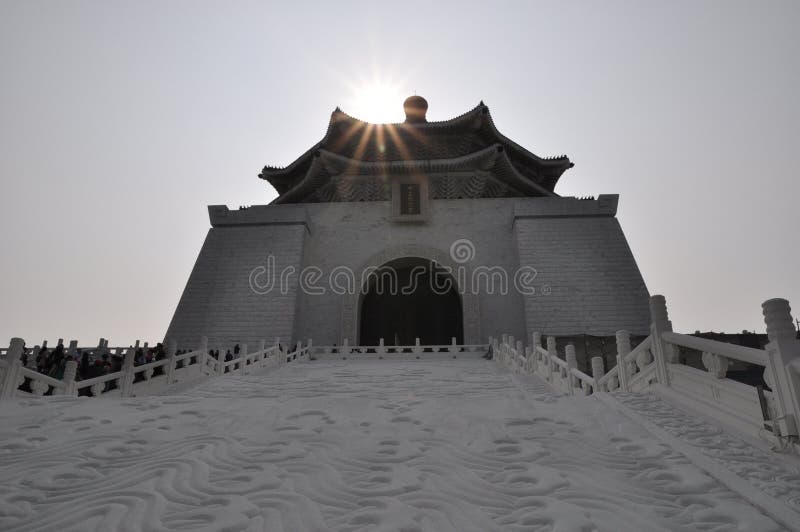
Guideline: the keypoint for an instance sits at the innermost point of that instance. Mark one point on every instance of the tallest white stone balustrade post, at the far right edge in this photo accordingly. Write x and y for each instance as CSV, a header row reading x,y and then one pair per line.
x,y
782,373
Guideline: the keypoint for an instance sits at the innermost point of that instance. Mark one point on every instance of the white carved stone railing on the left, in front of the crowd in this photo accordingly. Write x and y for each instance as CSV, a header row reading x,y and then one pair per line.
x,y
131,379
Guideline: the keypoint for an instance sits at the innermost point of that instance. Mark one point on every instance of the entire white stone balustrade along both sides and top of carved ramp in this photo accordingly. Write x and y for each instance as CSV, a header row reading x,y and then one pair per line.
x,y
653,361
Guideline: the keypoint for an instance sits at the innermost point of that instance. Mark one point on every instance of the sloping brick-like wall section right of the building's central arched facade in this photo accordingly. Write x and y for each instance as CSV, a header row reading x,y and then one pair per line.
x,y
583,259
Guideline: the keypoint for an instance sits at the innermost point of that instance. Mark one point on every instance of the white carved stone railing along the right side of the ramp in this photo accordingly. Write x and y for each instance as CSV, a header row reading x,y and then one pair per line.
x,y
654,365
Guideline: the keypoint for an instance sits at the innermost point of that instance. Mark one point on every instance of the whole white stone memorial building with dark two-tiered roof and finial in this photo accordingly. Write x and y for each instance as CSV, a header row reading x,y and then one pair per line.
x,y
458,197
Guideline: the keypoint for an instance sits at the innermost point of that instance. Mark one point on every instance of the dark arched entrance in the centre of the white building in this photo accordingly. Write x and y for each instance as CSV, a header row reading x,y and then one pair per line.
x,y
411,298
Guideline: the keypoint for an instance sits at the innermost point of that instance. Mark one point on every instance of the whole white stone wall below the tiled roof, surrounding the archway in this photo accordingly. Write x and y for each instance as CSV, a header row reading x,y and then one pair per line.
x,y
587,280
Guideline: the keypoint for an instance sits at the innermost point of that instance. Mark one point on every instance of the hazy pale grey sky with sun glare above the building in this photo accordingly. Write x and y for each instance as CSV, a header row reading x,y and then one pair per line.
x,y
120,122
